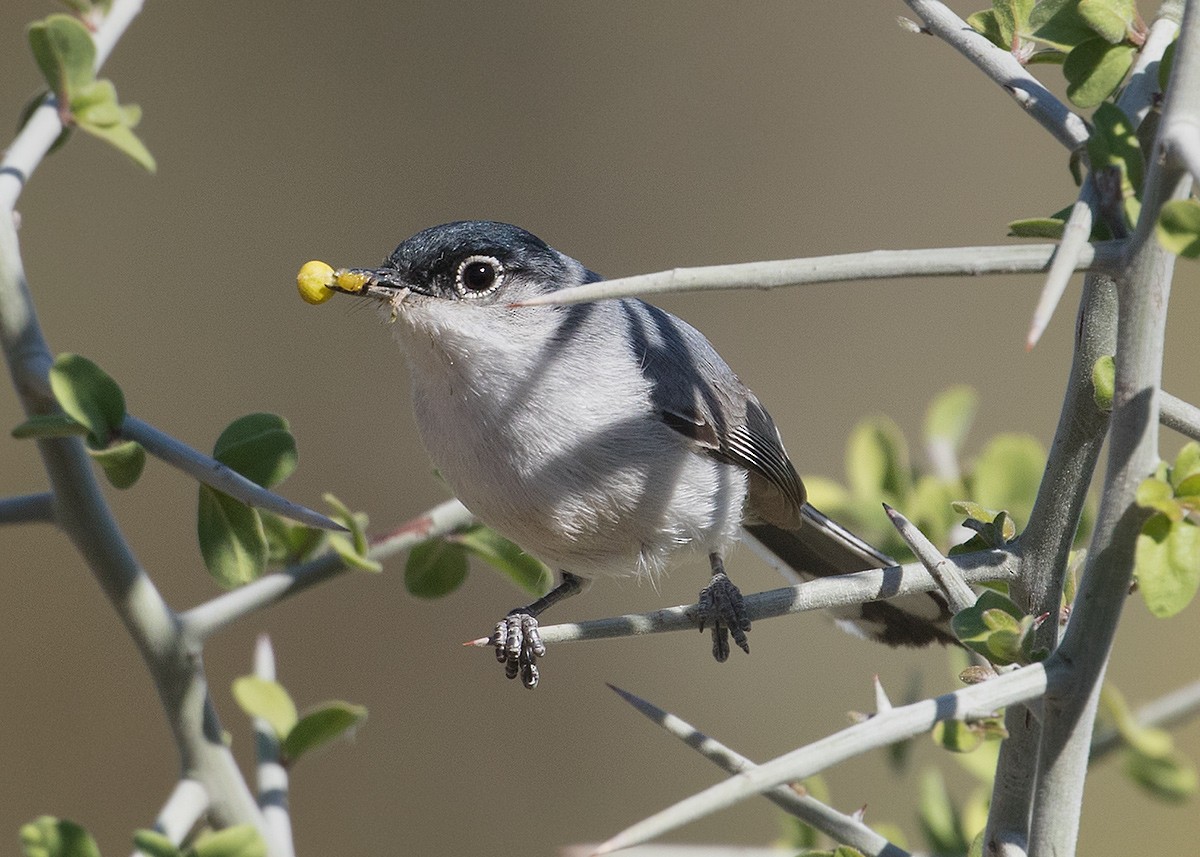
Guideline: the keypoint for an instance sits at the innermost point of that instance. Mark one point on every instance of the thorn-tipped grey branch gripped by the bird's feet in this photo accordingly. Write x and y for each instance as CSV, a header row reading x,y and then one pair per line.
x,y
815,595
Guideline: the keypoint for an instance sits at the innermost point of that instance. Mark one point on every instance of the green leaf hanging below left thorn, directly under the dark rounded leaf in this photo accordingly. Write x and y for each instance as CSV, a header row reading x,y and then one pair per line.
x,y
232,540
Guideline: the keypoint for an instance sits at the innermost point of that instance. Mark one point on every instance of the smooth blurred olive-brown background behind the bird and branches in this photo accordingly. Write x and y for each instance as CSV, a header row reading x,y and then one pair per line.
x,y
635,137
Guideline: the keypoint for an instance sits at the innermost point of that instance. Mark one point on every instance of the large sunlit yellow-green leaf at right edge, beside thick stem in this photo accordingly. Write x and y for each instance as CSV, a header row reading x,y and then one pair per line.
x,y
1168,565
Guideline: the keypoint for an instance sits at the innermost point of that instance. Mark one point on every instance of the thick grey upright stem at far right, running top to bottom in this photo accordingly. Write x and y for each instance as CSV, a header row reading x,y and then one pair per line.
x,y
1144,292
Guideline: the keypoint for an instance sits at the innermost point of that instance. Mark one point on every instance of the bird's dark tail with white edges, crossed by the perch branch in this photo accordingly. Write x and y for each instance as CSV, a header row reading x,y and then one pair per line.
x,y
821,548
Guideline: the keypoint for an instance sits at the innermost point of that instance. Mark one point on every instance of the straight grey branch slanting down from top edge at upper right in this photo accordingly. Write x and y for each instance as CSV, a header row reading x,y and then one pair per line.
x,y
1005,69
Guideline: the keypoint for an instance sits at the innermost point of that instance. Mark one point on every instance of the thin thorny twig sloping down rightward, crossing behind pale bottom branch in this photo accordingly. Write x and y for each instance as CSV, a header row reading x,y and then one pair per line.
x,y
841,828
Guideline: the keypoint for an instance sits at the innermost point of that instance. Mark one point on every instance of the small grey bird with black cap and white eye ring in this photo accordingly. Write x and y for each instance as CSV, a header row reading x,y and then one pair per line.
x,y
605,439
